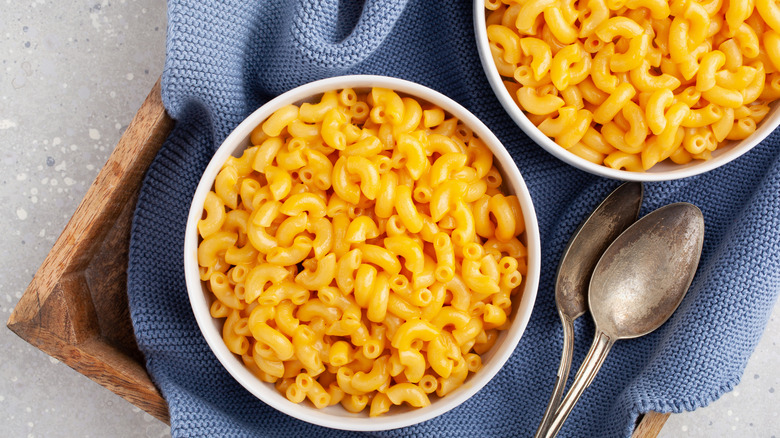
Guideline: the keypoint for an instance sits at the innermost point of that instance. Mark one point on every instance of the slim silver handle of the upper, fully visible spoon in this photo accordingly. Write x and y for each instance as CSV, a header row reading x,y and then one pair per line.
x,y
590,366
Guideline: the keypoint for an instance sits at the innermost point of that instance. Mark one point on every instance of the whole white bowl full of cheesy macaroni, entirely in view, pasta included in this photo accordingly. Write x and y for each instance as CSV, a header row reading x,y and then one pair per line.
x,y
362,253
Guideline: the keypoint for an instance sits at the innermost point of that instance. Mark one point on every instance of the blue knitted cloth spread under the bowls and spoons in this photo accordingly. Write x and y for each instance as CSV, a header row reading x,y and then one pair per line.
x,y
224,59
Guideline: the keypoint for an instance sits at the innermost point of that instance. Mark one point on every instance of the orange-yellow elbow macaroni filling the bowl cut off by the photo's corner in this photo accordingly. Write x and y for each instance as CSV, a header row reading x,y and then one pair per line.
x,y
630,83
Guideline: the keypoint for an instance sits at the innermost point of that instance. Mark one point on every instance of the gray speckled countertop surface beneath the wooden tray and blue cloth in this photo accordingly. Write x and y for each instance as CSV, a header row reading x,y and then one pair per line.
x,y
72,76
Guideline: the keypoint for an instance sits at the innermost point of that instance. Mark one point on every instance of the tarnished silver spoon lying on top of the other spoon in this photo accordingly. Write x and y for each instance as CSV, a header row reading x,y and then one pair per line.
x,y
637,285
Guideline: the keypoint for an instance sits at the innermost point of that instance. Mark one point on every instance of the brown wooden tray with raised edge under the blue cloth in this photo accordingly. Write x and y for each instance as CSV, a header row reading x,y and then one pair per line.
x,y
75,309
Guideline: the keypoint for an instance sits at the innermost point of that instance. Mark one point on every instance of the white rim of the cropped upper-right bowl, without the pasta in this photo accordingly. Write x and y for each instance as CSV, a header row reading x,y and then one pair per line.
x,y
660,172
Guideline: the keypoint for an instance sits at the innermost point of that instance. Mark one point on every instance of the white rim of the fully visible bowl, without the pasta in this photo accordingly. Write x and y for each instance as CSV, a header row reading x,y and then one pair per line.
x,y
335,416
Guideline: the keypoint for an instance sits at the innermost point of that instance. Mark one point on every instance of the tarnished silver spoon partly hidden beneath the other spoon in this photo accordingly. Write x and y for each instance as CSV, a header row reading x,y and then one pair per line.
x,y
618,210
